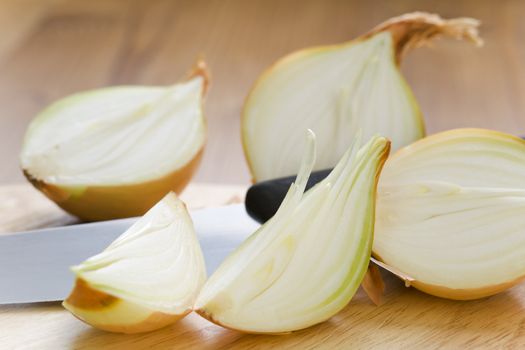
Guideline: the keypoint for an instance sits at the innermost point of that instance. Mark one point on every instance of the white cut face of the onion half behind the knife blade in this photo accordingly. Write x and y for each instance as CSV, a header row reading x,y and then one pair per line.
x,y
115,136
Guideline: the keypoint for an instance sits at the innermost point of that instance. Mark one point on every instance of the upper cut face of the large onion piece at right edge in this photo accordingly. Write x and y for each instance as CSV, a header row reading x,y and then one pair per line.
x,y
466,157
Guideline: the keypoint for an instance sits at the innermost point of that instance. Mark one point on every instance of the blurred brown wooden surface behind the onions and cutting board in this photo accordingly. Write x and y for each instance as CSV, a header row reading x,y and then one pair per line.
x,y
51,48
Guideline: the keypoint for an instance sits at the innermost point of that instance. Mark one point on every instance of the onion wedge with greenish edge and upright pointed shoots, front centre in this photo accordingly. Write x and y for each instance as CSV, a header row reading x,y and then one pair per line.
x,y
305,264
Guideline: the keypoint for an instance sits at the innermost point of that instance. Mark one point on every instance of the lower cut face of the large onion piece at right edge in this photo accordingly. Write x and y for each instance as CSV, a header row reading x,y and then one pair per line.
x,y
446,235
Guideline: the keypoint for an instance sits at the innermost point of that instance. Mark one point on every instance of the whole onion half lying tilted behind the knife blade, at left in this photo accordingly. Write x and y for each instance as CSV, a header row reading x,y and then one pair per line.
x,y
115,152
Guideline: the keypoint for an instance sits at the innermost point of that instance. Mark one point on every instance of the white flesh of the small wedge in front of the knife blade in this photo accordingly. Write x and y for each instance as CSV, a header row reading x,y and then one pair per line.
x,y
157,263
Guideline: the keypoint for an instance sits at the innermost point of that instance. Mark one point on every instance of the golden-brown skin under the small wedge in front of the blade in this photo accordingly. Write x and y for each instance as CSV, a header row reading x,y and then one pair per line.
x,y
94,307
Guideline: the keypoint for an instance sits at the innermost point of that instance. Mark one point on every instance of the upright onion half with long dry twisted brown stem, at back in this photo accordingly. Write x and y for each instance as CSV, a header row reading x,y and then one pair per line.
x,y
337,90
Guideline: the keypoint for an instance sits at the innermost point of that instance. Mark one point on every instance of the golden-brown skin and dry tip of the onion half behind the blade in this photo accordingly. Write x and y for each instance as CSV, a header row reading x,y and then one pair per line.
x,y
98,202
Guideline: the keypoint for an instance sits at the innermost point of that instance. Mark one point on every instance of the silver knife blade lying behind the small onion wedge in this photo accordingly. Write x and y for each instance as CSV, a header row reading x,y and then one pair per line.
x,y
34,265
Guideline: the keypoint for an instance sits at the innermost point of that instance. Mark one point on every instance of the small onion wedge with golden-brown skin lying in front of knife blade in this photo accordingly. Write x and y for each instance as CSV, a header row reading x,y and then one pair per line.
x,y
147,278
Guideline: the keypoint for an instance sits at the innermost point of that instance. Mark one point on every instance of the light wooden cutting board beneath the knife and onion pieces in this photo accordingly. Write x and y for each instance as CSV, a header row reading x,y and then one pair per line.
x,y
408,319
